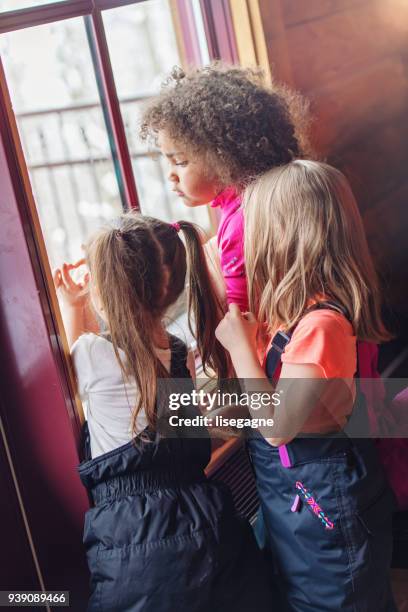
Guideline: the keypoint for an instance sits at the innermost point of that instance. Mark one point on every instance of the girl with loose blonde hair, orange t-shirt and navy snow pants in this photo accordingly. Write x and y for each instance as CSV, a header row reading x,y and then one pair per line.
x,y
326,504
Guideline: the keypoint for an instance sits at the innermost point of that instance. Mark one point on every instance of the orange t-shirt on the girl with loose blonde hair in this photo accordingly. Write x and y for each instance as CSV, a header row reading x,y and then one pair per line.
x,y
325,338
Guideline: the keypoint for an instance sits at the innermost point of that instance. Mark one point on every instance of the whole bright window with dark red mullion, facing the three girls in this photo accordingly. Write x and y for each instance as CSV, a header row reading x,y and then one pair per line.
x,y
78,72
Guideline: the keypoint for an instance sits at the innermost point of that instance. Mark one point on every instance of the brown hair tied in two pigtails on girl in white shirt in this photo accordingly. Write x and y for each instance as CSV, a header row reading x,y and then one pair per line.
x,y
139,269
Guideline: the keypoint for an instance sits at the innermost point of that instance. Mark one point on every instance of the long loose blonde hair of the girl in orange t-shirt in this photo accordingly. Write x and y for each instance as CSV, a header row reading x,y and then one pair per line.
x,y
304,239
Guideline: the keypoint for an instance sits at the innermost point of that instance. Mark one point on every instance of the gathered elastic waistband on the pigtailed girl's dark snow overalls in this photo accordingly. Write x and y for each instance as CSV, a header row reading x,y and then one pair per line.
x,y
143,481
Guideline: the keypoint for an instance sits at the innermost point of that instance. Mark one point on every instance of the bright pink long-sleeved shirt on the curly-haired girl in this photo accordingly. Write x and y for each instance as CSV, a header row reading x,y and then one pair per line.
x,y
230,237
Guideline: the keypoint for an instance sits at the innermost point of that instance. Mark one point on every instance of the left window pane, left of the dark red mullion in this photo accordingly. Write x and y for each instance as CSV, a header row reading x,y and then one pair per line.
x,y
53,89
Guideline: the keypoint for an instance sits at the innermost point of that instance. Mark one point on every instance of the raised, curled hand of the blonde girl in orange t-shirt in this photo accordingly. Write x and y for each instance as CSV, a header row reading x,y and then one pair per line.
x,y
237,331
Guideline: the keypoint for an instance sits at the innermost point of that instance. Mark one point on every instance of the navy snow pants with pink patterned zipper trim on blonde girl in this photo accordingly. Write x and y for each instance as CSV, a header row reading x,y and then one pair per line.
x,y
327,520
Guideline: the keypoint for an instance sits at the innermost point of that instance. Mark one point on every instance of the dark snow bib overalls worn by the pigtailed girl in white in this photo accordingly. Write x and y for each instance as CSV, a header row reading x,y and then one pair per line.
x,y
163,538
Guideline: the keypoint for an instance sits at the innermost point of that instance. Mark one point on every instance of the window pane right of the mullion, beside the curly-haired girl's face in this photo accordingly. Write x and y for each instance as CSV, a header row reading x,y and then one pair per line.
x,y
143,49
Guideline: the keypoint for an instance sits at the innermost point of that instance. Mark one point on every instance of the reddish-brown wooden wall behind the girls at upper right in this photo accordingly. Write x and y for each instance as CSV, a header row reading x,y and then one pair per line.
x,y
350,57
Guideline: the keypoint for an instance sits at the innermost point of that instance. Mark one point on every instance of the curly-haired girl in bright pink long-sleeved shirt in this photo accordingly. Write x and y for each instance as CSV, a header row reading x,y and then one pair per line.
x,y
219,127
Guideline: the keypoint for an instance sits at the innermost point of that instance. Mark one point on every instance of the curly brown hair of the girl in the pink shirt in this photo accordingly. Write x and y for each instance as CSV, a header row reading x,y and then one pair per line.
x,y
226,115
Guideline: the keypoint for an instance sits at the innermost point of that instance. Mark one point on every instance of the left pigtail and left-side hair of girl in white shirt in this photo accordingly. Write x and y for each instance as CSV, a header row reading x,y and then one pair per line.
x,y
127,269
